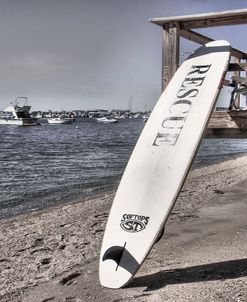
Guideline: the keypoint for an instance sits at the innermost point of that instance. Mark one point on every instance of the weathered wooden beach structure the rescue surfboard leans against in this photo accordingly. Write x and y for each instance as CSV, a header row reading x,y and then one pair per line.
x,y
178,27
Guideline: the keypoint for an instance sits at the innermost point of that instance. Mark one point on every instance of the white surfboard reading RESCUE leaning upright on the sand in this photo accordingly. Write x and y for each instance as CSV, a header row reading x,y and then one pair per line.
x,y
160,162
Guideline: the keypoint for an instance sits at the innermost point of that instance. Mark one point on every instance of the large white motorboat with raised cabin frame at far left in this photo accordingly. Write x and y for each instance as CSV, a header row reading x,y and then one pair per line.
x,y
17,113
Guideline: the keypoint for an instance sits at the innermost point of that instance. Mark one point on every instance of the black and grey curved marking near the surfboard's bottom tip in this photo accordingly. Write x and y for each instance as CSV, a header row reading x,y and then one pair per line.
x,y
122,257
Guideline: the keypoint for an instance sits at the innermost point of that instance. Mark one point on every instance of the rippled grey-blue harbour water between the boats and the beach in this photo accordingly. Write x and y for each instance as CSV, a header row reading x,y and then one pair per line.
x,y
53,164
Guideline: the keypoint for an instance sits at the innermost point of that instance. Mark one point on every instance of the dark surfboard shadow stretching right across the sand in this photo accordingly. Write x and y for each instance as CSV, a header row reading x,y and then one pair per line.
x,y
214,271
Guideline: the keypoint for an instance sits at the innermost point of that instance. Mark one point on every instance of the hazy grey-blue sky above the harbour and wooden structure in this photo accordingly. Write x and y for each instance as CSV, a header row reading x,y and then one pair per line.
x,y
87,54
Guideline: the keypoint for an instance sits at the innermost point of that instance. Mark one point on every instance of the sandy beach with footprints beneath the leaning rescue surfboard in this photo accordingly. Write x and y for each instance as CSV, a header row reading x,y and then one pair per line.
x,y
53,255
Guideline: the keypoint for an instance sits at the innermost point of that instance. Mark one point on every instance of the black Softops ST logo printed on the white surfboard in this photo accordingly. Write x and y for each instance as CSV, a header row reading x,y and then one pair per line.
x,y
134,223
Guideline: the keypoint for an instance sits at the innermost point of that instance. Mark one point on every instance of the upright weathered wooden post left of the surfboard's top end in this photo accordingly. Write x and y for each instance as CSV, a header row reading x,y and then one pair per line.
x,y
170,53
